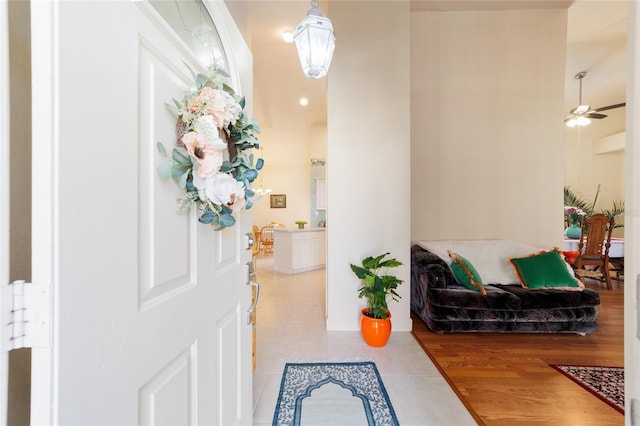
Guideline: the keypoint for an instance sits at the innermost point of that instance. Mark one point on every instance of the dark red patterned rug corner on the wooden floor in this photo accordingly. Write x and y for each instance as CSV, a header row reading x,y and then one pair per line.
x,y
607,383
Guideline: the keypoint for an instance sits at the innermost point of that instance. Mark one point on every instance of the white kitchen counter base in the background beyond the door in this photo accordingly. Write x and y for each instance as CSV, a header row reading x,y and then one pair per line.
x,y
299,250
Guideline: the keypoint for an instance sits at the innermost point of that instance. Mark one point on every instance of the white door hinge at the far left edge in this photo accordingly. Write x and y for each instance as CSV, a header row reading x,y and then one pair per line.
x,y
25,319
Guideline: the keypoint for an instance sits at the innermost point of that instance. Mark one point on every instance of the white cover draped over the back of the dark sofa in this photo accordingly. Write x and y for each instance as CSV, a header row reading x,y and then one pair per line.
x,y
489,257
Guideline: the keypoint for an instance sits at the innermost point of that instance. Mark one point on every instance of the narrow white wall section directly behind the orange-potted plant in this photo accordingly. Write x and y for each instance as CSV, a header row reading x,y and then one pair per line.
x,y
368,148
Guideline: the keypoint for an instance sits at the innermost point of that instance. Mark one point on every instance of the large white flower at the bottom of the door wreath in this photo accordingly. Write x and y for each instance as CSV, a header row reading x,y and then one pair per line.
x,y
221,189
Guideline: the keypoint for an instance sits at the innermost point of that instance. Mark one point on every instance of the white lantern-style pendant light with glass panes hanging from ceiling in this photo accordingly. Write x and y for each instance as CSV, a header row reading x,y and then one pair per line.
x,y
315,42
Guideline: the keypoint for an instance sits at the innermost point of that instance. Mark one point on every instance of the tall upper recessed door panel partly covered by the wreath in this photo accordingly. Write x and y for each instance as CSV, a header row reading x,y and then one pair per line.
x,y
167,250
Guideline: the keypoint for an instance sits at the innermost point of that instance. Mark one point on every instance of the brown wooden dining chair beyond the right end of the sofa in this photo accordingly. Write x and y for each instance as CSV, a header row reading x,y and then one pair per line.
x,y
593,248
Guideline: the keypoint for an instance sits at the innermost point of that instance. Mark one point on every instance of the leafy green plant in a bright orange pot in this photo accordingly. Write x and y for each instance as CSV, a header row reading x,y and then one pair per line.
x,y
375,319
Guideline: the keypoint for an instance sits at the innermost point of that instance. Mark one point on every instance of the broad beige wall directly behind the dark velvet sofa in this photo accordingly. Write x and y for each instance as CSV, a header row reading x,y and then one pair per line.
x,y
487,143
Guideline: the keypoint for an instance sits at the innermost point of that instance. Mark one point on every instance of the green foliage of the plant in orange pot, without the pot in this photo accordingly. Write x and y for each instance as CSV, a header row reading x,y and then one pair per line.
x,y
375,286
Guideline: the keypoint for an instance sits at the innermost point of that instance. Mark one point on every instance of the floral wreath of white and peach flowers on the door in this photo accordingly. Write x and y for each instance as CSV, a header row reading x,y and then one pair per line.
x,y
212,123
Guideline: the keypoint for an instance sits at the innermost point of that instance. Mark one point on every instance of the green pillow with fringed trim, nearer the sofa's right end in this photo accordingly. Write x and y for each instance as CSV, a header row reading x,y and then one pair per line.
x,y
544,270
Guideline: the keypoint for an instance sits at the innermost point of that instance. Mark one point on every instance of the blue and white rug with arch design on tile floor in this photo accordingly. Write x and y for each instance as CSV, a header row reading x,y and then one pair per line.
x,y
333,393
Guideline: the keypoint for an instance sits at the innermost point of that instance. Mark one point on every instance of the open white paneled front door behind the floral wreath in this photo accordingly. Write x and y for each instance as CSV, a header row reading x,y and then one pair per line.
x,y
149,321
